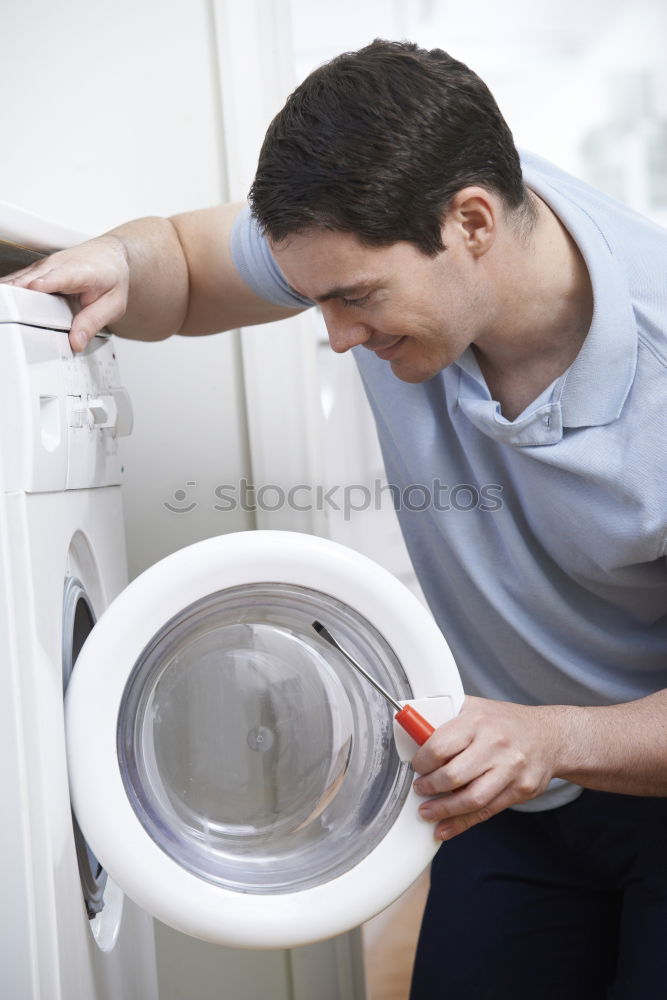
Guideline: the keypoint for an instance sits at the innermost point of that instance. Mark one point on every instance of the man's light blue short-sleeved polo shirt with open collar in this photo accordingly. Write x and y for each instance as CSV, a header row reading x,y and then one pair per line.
x,y
540,542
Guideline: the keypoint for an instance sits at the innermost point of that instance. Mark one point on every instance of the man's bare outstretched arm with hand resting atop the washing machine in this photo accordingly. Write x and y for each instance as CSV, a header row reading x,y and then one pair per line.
x,y
154,277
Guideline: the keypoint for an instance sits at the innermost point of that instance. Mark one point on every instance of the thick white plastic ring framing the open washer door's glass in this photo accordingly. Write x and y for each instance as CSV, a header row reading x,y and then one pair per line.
x,y
133,860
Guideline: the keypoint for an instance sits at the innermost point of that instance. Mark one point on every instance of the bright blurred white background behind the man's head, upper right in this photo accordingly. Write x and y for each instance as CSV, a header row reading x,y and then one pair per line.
x,y
558,70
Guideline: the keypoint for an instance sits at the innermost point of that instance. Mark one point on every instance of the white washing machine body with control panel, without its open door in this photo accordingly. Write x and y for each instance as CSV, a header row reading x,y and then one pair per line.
x,y
67,931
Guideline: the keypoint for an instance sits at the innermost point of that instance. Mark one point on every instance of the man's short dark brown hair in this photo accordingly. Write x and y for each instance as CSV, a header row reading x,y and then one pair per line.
x,y
377,142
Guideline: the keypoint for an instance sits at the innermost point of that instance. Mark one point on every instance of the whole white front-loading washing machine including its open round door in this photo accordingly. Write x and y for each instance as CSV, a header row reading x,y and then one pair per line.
x,y
230,773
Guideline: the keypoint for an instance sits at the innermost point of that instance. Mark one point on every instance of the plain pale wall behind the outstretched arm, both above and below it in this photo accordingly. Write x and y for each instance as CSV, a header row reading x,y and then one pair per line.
x,y
113,111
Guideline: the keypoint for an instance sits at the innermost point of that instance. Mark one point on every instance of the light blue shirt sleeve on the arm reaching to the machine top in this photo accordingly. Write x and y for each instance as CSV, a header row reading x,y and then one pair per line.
x,y
256,265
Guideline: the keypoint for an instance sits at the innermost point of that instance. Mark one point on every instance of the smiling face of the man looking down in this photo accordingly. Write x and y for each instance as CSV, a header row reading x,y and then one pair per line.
x,y
416,312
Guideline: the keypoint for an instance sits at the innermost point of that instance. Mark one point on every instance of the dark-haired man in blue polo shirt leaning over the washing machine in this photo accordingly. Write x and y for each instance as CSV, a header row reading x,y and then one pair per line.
x,y
509,325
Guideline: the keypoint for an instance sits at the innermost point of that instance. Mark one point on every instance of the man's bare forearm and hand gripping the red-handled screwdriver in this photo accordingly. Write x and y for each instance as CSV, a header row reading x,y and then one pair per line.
x,y
496,754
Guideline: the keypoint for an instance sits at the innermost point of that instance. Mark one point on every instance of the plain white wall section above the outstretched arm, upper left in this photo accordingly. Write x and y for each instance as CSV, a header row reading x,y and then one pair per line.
x,y
108,110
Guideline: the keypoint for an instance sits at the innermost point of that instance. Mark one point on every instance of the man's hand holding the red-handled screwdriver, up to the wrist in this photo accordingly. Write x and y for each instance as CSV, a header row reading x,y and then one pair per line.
x,y
494,754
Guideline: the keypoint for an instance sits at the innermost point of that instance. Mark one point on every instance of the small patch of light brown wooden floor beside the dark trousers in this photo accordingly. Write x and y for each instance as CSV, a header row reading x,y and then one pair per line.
x,y
390,940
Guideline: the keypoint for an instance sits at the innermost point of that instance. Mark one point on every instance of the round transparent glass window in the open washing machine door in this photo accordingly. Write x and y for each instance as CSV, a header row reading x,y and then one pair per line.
x,y
250,751
